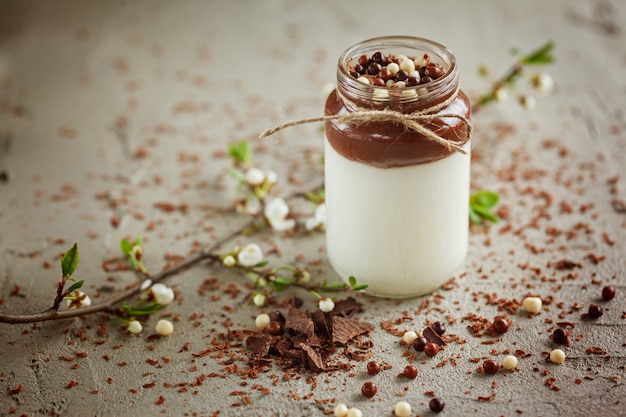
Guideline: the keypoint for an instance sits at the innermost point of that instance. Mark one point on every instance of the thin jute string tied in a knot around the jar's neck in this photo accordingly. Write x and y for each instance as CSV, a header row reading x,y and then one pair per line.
x,y
416,121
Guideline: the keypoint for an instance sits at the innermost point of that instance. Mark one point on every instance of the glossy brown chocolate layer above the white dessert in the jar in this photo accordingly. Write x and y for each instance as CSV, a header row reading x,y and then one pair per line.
x,y
390,145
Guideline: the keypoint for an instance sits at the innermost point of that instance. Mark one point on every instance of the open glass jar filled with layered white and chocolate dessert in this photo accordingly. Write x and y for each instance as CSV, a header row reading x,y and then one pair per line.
x,y
397,200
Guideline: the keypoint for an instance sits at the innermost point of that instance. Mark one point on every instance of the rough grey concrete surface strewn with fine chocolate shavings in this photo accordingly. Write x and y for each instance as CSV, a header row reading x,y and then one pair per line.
x,y
107,108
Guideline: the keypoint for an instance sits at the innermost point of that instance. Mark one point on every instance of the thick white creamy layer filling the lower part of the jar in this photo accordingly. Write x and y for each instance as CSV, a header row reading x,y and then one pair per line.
x,y
403,231
